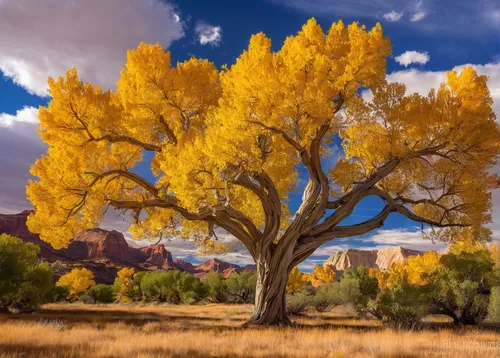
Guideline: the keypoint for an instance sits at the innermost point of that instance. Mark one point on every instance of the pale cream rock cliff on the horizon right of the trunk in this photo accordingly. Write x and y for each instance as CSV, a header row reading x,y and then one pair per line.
x,y
380,259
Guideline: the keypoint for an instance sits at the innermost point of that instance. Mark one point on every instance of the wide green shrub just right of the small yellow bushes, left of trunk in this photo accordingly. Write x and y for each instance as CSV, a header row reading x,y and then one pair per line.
x,y
173,287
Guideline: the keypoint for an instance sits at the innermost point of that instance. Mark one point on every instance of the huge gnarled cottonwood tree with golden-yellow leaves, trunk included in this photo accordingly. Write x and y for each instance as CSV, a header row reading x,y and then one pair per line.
x,y
225,148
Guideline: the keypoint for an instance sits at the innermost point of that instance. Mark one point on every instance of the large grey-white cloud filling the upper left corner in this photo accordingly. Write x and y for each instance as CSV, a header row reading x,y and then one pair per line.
x,y
45,38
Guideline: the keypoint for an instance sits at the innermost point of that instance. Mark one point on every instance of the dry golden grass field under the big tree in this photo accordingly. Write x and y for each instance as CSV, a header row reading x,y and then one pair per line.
x,y
77,330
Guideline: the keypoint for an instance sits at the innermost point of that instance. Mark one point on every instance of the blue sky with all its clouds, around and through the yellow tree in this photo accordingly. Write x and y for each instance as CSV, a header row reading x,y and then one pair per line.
x,y
41,38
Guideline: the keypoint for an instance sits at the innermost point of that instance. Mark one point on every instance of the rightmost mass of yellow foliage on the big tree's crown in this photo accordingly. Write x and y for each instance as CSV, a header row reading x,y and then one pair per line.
x,y
457,119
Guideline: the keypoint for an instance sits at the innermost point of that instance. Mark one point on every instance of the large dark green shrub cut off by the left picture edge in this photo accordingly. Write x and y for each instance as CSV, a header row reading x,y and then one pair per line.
x,y
24,284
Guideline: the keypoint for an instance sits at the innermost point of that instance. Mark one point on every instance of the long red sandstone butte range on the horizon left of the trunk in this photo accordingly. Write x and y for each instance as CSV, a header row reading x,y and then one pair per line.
x,y
105,252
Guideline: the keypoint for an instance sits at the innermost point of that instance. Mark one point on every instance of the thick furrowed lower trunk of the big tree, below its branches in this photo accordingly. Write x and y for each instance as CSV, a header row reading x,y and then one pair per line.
x,y
270,300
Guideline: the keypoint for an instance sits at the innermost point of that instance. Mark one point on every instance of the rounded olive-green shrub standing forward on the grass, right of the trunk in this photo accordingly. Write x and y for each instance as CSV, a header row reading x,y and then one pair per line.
x,y
403,306
